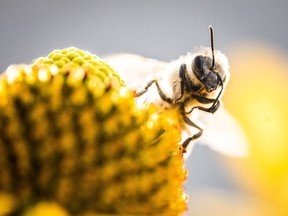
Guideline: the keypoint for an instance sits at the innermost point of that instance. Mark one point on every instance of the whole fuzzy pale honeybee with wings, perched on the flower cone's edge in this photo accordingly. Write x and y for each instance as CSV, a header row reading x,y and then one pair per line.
x,y
195,83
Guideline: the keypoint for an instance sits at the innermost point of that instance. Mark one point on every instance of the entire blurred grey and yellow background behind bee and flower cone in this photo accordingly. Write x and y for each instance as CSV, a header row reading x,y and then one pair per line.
x,y
253,34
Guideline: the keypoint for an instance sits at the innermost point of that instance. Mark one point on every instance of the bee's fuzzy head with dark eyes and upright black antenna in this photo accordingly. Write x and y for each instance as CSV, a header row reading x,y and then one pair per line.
x,y
211,69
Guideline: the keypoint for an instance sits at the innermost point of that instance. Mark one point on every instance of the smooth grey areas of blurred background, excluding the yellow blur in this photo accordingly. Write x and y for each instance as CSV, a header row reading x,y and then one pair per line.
x,y
159,29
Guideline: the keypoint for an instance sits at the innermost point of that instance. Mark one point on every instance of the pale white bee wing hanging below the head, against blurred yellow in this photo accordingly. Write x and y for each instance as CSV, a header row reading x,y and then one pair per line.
x,y
223,133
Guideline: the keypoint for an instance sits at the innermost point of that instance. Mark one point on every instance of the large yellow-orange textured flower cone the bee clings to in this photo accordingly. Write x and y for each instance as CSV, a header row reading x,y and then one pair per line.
x,y
71,135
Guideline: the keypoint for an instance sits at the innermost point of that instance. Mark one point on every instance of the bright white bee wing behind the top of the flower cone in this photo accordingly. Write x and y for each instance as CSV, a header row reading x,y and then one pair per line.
x,y
135,70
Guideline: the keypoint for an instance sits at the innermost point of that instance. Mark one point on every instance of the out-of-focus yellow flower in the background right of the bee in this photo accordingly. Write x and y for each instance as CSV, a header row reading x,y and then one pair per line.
x,y
257,96
